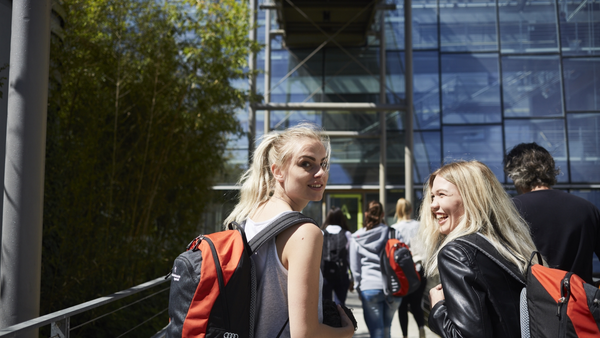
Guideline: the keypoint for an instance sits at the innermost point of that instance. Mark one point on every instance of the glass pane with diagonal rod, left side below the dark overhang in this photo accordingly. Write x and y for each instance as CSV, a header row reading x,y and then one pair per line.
x,y
304,85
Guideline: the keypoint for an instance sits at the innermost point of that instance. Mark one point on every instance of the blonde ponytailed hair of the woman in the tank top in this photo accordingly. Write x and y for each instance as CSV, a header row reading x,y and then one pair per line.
x,y
258,183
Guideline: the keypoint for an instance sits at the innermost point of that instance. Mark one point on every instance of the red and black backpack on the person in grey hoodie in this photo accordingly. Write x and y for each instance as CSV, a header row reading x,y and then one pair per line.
x,y
398,268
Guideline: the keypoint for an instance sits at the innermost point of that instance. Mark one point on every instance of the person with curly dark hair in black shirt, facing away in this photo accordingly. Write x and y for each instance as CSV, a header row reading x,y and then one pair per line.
x,y
564,227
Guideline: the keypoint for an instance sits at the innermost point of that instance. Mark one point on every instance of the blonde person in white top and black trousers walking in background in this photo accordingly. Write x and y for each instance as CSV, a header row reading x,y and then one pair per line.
x,y
406,230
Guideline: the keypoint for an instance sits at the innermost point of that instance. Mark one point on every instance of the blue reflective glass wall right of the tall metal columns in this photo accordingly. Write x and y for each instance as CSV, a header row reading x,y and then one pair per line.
x,y
508,72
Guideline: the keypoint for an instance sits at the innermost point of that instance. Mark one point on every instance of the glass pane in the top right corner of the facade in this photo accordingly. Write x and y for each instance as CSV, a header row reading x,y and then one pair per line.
x,y
579,27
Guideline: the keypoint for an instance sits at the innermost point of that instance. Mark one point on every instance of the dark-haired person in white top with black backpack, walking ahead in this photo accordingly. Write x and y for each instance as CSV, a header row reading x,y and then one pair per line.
x,y
334,265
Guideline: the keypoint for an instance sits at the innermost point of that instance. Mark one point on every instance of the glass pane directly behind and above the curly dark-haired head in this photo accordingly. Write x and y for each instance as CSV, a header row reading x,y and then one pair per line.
x,y
549,134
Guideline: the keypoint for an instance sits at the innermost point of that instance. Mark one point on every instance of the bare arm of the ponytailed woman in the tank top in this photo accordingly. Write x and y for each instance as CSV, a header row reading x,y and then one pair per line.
x,y
301,256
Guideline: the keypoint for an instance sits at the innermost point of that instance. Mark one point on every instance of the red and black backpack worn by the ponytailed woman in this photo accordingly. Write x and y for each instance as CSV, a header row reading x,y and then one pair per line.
x,y
213,283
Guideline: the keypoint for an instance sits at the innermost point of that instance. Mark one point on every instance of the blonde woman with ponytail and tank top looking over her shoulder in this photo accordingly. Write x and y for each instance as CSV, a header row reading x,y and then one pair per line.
x,y
288,170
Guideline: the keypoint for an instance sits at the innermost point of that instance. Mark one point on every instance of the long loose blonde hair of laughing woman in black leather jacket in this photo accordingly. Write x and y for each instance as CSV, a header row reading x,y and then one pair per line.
x,y
488,210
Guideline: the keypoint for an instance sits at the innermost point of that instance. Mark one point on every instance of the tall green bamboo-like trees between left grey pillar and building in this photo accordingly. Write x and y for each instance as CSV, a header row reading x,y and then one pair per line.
x,y
141,105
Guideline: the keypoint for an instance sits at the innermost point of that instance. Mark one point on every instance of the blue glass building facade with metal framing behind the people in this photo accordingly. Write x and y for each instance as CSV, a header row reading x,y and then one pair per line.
x,y
487,75
